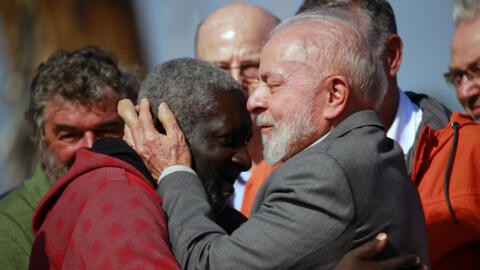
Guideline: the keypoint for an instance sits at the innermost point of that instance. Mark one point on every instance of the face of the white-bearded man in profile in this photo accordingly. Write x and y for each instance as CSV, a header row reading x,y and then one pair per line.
x,y
287,102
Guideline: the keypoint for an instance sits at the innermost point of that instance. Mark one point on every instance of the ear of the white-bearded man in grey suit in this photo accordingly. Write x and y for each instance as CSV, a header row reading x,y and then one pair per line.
x,y
338,93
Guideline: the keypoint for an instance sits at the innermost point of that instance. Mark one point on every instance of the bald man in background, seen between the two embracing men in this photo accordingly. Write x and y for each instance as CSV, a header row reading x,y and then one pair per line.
x,y
232,38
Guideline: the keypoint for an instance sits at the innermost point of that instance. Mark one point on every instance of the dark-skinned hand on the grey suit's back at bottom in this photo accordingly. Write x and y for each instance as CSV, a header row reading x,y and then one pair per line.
x,y
361,258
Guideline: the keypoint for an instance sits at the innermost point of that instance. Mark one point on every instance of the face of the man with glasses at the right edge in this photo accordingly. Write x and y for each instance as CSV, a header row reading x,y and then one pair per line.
x,y
465,52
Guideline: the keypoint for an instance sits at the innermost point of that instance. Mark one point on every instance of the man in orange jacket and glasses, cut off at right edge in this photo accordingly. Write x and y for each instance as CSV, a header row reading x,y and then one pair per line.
x,y
446,165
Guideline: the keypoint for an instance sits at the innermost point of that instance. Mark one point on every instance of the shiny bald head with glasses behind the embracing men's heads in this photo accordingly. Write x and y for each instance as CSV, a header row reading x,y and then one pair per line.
x,y
232,38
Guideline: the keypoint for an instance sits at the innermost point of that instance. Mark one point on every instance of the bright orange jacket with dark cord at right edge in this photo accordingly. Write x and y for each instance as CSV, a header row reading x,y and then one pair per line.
x,y
450,192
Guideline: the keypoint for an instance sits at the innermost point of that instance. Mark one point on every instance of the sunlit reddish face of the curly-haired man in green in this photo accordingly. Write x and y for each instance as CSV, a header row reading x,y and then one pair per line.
x,y
71,126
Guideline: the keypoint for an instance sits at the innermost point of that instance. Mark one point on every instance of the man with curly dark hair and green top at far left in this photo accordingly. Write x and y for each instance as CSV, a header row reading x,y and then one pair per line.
x,y
73,103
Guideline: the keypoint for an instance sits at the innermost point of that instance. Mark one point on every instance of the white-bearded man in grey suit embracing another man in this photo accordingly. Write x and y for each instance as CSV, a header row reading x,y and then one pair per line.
x,y
342,182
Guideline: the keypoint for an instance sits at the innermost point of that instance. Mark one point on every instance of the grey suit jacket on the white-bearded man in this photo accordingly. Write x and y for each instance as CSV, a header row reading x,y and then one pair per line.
x,y
324,201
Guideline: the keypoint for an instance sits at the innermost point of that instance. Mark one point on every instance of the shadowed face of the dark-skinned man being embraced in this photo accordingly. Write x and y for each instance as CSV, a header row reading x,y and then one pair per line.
x,y
218,147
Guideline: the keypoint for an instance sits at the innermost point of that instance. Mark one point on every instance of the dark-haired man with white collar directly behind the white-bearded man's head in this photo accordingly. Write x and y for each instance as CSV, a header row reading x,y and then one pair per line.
x,y
403,114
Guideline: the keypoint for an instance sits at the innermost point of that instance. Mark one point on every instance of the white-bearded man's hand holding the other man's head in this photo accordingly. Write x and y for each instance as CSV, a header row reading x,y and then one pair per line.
x,y
157,150
